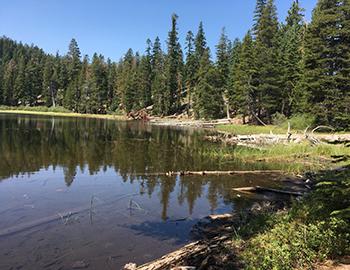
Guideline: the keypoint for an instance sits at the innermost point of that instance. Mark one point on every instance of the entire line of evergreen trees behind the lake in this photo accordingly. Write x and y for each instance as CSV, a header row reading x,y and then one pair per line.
x,y
277,70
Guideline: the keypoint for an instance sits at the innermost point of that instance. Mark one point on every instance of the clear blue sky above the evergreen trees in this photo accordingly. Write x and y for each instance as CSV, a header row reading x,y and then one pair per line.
x,y
111,27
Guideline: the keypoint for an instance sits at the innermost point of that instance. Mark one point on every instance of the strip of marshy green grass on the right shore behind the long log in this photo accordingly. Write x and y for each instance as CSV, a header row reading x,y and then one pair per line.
x,y
294,158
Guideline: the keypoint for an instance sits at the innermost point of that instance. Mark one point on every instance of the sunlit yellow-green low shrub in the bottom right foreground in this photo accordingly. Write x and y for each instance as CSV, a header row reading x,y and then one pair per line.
x,y
295,245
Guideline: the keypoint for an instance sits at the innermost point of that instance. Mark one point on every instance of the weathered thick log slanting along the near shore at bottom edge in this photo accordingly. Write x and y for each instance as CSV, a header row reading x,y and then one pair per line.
x,y
182,258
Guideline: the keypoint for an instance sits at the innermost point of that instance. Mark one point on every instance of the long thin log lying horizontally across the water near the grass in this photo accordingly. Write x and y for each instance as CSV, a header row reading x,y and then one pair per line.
x,y
203,173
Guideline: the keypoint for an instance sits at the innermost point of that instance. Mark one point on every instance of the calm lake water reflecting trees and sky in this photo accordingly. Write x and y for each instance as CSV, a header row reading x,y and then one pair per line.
x,y
82,190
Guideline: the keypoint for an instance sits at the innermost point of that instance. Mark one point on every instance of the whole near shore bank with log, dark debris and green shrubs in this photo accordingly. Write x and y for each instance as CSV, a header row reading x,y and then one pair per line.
x,y
300,233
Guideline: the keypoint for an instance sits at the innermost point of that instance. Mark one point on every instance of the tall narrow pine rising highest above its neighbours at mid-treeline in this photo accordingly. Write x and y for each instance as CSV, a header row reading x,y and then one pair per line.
x,y
174,70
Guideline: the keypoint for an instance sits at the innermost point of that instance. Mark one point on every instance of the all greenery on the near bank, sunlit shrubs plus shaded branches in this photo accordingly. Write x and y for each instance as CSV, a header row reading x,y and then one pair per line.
x,y
314,229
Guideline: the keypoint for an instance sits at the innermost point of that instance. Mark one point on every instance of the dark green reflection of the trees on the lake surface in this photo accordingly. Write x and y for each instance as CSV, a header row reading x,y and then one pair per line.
x,y
28,144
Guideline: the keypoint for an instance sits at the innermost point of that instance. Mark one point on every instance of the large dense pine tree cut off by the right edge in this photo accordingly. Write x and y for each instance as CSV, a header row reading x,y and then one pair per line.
x,y
327,63
